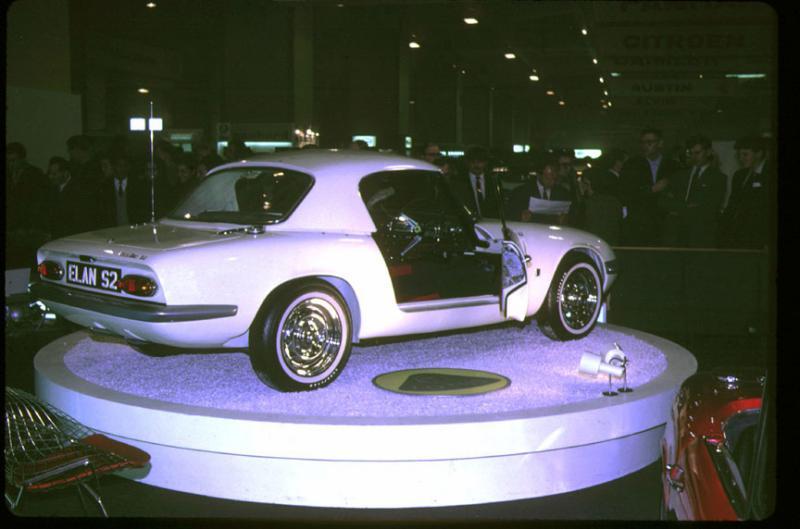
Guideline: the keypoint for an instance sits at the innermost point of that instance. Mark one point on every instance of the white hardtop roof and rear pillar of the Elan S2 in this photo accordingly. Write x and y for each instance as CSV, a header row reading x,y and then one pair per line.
x,y
334,202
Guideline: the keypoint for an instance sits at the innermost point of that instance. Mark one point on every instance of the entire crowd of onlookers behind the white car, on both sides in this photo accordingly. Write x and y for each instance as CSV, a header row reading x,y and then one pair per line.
x,y
648,199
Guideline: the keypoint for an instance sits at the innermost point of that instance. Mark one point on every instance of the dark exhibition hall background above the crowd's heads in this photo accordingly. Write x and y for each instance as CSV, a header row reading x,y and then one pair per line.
x,y
208,63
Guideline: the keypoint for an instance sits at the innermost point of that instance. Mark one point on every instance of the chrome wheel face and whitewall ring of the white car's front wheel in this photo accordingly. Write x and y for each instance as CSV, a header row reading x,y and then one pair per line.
x,y
579,298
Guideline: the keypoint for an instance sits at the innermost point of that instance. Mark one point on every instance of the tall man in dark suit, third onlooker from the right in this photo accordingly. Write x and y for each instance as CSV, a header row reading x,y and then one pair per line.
x,y
644,178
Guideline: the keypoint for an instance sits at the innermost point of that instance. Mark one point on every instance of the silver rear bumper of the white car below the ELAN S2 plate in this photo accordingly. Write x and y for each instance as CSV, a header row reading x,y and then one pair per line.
x,y
126,308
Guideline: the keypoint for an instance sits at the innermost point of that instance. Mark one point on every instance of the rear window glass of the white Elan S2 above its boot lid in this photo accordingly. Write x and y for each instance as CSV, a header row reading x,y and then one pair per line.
x,y
260,195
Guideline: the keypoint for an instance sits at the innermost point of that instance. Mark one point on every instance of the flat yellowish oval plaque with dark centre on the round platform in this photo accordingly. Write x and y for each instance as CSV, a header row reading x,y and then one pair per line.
x,y
441,381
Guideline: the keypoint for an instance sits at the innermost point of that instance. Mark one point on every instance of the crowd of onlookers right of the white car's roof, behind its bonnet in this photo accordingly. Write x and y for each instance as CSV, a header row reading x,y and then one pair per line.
x,y
647,199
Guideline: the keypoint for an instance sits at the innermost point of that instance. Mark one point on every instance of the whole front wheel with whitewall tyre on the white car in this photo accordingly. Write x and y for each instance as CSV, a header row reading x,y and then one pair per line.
x,y
574,299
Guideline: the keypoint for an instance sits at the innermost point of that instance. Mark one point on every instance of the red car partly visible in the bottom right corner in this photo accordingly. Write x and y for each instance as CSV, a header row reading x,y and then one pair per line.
x,y
717,450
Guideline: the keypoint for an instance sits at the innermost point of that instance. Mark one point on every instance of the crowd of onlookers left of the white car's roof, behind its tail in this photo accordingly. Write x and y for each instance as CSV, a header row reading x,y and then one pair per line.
x,y
94,188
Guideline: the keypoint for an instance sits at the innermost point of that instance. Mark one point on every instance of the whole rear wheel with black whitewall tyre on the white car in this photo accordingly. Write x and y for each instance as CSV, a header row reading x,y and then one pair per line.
x,y
301,338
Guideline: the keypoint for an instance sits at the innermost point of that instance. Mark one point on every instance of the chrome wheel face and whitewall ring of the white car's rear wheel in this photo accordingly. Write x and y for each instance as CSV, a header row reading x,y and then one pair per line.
x,y
310,336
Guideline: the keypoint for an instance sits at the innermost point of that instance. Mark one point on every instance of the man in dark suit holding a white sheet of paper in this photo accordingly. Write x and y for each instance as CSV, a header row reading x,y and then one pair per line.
x,y
543,187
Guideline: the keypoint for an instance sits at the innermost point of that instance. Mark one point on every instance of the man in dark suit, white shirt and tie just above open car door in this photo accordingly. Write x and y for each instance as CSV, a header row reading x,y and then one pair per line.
x,y
475,187
